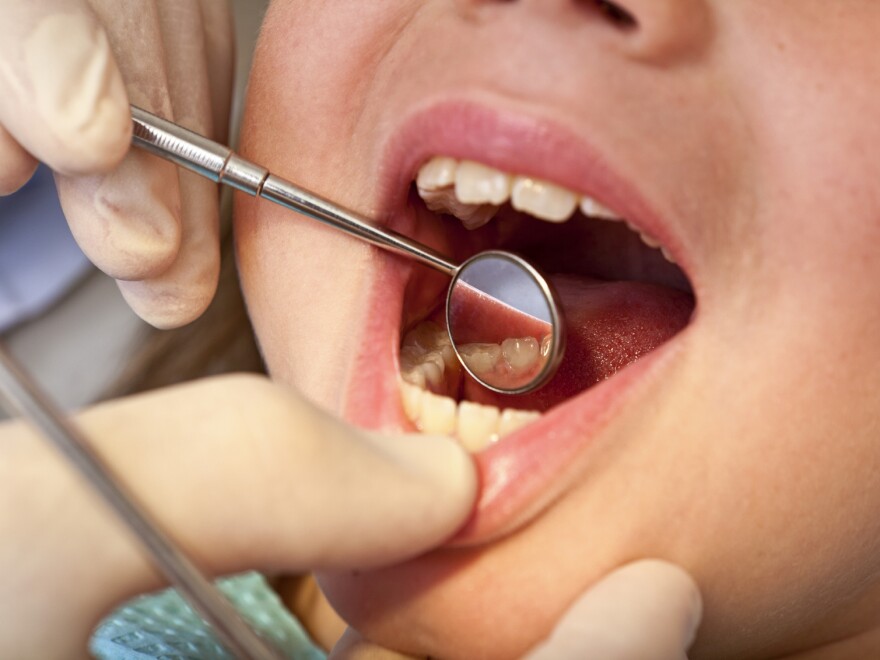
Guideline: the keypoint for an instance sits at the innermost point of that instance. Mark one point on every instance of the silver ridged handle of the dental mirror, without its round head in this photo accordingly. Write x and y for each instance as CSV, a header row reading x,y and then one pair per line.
x,y
220,164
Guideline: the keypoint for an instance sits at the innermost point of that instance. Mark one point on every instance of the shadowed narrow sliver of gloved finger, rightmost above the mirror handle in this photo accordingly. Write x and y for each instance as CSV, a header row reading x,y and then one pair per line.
x,y
220,50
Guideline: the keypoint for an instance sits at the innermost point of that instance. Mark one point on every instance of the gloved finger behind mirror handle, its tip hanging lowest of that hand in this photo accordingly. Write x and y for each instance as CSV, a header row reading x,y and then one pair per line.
x,y
181,294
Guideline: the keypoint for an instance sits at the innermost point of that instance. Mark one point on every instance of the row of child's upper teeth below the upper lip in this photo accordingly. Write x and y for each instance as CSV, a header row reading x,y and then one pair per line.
x,y
473,193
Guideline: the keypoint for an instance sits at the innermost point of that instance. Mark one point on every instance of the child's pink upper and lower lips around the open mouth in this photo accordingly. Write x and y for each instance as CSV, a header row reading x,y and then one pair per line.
x,y
531,468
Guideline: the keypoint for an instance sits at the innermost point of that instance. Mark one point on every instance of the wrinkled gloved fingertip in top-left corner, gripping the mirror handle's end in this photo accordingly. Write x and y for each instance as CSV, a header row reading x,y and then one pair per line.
x,y
62,97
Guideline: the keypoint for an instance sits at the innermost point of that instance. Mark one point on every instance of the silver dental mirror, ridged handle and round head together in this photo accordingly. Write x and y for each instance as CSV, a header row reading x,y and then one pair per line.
x,y
496,303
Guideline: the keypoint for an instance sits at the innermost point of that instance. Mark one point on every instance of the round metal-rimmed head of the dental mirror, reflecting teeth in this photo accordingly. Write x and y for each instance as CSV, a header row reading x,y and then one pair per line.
x,y
504,322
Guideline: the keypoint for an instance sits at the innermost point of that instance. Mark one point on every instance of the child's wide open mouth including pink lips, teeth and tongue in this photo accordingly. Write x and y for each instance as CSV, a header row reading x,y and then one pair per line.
x,y
463,177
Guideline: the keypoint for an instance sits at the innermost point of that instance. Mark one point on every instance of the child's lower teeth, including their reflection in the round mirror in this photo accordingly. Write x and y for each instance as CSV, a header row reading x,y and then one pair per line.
x,y
431,376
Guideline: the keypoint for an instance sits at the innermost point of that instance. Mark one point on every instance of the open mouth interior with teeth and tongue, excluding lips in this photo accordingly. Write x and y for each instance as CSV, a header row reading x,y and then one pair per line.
x,y
621,291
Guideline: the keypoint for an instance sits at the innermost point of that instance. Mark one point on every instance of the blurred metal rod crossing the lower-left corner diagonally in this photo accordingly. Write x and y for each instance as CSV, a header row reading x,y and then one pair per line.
x,y
21,395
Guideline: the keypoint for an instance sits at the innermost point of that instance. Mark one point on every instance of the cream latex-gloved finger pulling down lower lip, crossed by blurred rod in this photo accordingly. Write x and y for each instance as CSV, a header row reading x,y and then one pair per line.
x,y
244,474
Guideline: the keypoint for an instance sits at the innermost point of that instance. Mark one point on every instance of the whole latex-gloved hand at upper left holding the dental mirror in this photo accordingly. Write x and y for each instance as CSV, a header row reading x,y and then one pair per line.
x,y
68,70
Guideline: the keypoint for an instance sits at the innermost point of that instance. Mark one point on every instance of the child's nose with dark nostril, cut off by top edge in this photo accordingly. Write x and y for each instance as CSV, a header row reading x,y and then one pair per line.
x,y
647,30
